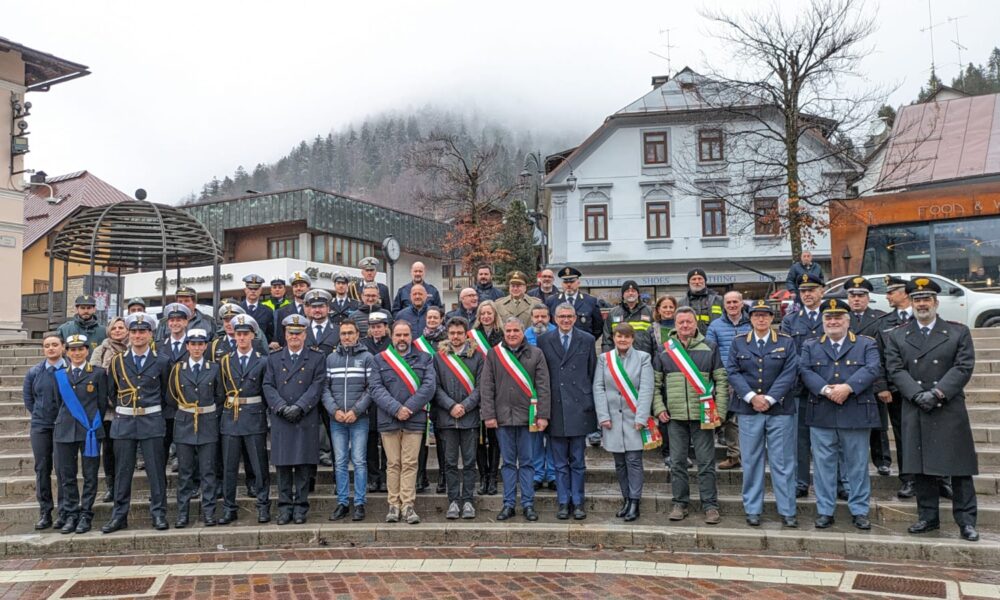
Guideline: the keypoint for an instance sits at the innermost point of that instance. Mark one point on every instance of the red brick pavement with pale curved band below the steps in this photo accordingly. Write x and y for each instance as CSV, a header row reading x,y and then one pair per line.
x,y
470,572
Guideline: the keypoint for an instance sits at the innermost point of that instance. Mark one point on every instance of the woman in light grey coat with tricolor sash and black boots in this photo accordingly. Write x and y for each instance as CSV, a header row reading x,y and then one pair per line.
x,y
621,427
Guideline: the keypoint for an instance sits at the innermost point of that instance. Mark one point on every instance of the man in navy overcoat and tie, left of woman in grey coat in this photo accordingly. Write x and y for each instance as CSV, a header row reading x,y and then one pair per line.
x,y
571,358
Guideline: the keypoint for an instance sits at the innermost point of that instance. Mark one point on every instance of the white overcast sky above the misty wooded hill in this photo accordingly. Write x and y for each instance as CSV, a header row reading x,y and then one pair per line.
x,y
182,91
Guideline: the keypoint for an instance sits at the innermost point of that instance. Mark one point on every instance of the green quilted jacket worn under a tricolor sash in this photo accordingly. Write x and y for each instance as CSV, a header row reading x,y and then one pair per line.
x,y
674,394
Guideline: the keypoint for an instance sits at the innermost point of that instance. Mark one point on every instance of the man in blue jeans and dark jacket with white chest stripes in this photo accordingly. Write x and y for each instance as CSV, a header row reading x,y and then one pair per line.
x,y
346,399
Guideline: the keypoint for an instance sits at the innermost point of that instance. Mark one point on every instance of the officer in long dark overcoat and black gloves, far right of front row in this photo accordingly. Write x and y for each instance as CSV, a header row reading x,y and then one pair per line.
x,y
930,361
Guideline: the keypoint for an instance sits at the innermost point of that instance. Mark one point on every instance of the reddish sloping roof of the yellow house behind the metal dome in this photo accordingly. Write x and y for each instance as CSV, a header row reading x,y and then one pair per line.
x,y
75,191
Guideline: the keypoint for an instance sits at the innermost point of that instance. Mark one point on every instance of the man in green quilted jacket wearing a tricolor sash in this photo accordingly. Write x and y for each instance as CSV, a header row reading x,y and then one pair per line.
x,y
691,364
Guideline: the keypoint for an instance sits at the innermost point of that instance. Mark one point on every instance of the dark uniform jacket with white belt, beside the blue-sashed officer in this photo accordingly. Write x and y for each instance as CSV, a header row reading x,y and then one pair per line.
x,y
150,383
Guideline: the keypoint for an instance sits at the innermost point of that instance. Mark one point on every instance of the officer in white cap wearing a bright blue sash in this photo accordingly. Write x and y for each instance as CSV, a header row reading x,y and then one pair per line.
x,y
78,430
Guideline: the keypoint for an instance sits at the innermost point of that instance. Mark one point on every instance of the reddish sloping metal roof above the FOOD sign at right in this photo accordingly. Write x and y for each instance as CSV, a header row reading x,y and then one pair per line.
x,y
942,141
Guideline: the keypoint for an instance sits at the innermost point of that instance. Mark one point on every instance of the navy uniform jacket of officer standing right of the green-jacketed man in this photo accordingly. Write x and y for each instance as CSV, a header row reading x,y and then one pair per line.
x,y
773,371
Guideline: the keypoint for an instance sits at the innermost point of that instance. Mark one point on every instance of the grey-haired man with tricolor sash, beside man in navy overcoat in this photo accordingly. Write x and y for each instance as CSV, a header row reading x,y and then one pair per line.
x,y
515,401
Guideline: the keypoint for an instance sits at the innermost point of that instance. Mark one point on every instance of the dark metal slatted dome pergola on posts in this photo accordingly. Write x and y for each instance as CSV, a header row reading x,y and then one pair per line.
x,y
135,235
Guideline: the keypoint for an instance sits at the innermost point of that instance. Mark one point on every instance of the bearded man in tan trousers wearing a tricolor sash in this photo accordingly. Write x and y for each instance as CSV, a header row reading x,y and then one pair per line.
x,y
403,386
